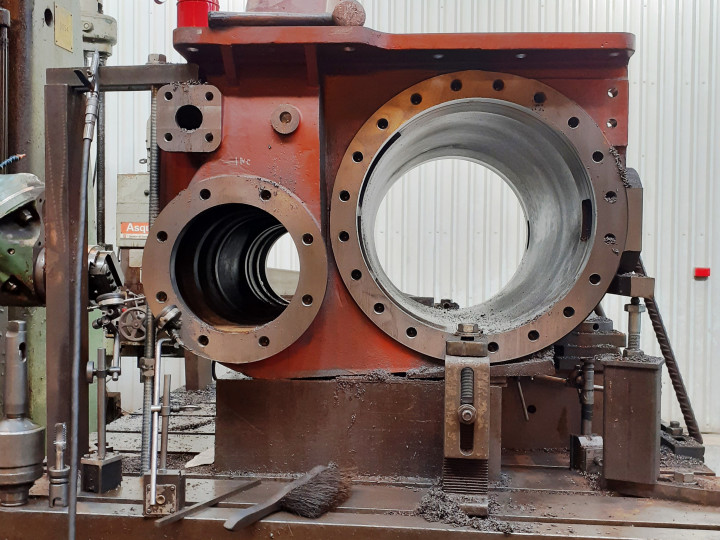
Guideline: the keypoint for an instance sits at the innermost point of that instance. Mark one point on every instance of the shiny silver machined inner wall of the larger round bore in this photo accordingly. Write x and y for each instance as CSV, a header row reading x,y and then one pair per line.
x,y
541,167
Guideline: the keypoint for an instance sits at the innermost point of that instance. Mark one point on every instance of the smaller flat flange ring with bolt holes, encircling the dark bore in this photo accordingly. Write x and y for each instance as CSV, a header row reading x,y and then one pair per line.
x,y
212,336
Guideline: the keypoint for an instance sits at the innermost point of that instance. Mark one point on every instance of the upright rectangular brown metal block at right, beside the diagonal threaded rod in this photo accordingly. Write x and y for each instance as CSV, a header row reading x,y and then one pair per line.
x,y
631,426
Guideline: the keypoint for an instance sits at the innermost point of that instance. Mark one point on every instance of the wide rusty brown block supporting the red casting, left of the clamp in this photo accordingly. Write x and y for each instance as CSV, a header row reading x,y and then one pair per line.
x,y
373,427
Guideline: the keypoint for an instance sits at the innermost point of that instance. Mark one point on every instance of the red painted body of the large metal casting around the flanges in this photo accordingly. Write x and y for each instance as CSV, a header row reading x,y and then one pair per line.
x,y
337,77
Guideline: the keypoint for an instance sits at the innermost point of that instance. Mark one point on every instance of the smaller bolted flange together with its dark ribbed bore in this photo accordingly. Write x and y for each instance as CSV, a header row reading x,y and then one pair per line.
x,y
174,257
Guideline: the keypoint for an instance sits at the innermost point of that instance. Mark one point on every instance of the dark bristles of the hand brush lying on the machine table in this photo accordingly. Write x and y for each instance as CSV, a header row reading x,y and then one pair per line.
x,y
320,494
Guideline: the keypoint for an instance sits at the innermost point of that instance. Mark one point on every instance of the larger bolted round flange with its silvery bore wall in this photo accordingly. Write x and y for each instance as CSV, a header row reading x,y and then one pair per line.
x,y
560,166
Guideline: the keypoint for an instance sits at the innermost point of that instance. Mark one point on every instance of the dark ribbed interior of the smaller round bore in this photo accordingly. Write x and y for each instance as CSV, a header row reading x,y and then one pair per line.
x,y
219,265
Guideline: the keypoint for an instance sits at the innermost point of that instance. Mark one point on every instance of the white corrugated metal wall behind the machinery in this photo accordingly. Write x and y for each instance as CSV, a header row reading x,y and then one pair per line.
x,y
674,129
